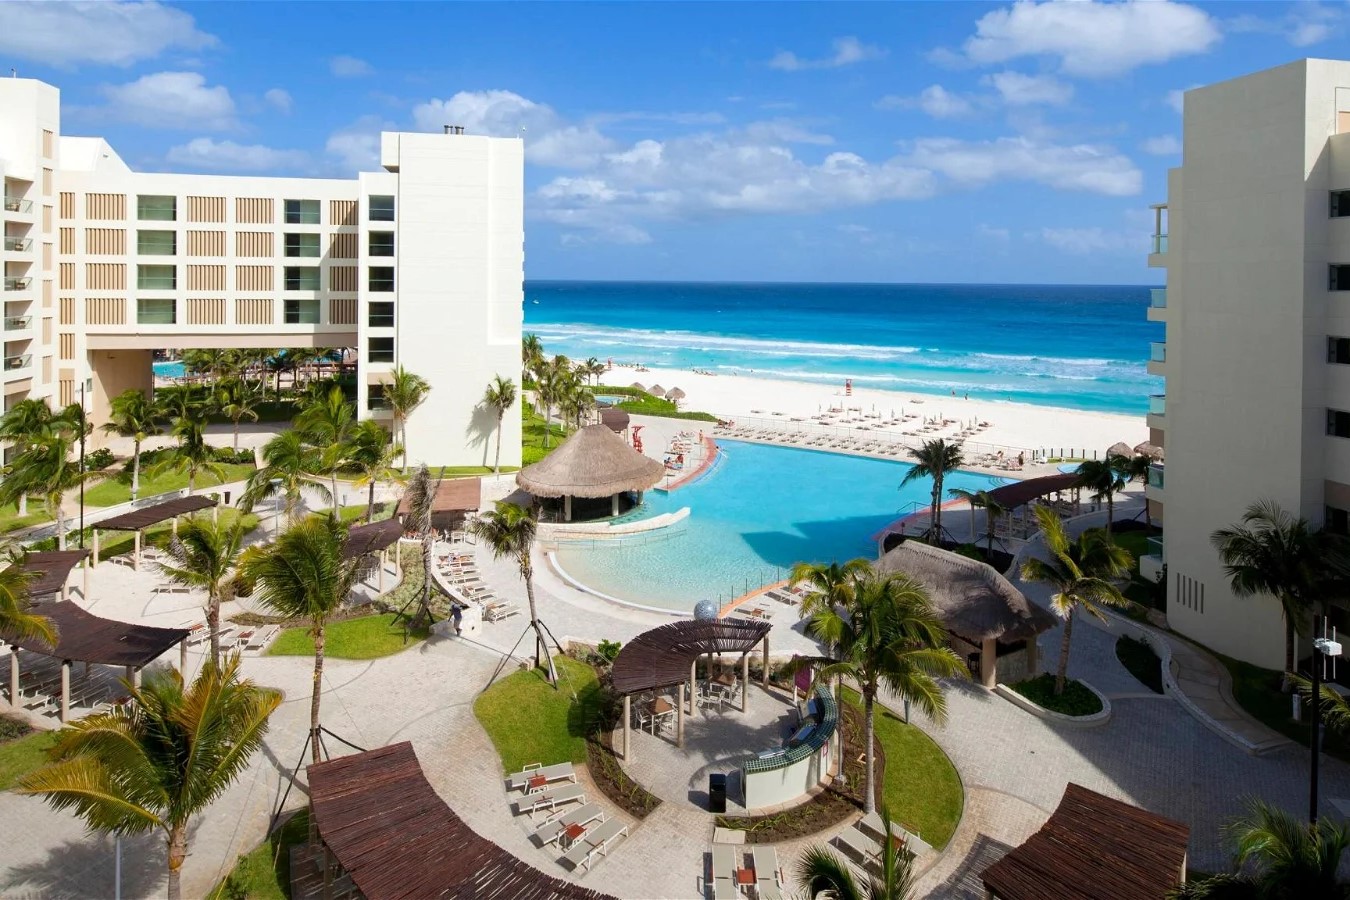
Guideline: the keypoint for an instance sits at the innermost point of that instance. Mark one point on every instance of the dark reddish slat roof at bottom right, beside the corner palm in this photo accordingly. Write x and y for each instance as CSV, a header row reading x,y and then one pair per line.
x,y
1094,848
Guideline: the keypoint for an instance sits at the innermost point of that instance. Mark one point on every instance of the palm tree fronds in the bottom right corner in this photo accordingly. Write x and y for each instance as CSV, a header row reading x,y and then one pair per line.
x,y
1279,859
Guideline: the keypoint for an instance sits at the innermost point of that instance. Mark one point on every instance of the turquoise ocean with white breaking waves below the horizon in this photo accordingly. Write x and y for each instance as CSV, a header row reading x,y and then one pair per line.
x,y
1071,346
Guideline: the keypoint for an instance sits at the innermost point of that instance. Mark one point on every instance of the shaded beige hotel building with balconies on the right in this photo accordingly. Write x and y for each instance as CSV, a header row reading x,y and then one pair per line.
x,y
1255,238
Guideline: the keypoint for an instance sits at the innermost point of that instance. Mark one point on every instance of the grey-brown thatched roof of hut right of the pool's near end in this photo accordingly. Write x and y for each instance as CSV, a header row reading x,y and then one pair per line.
x,y
971,598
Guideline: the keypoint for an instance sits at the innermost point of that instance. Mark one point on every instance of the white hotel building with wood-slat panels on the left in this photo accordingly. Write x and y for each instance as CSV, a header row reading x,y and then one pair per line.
x,y
421,266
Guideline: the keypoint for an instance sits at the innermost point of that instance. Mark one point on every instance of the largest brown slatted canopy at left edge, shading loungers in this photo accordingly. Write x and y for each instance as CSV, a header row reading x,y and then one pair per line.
x,y
84,638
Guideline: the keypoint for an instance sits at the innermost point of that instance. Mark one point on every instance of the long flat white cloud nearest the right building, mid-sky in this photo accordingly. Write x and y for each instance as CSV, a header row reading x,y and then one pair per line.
x,y
1087,168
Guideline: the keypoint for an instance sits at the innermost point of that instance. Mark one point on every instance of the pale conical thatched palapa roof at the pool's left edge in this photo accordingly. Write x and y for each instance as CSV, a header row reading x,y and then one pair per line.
x,y
595,462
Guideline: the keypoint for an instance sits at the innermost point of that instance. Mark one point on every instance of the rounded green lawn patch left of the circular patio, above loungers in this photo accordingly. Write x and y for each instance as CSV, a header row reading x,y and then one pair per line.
x,y
529,721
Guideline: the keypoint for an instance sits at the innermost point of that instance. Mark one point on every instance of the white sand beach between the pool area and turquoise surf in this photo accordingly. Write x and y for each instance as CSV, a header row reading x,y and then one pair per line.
x,y
1016,426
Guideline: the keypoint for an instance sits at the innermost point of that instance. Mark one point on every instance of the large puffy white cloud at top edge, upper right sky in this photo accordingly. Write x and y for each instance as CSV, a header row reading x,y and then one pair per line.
x,y
1091,38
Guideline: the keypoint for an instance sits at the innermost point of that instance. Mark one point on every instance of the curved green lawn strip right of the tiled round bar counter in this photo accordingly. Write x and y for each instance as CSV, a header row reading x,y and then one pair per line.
x,y
923,789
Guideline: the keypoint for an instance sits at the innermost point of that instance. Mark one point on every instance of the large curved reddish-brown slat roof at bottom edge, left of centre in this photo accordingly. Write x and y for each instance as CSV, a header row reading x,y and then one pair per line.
x,y
398,839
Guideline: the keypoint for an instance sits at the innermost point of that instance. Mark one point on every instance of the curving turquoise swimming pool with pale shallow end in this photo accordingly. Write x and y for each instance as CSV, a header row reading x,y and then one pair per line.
x,y
761,511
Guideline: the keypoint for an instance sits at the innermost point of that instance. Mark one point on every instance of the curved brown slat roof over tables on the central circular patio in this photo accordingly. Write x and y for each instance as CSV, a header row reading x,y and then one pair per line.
x,y
661,658
